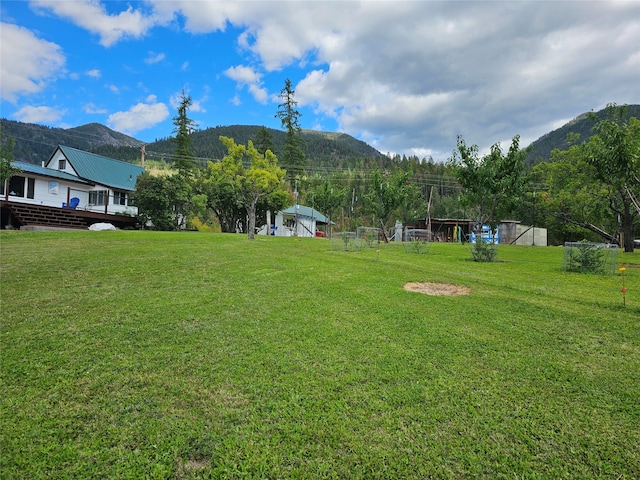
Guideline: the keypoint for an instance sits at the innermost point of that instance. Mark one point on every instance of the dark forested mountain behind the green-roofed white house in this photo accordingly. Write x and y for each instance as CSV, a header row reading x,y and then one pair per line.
x,y
35,143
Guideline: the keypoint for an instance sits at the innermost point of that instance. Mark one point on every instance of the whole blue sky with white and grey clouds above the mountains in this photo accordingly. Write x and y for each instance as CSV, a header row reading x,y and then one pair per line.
x,y
406,77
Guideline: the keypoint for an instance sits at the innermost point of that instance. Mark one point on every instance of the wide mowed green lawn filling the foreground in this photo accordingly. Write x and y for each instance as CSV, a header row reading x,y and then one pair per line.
x,y
190,355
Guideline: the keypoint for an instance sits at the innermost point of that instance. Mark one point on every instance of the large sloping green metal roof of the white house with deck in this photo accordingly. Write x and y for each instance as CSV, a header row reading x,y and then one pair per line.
x,y
103,170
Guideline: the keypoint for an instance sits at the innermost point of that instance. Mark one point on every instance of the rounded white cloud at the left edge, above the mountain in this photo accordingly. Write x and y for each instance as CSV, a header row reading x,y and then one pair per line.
x,y
28,62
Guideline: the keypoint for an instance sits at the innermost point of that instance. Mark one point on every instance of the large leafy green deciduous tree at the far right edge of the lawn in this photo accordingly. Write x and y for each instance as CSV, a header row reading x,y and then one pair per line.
x,y
595,185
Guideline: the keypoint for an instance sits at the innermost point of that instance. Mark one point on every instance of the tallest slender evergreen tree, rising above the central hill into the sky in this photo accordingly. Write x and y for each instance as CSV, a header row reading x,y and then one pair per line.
x,y
293,156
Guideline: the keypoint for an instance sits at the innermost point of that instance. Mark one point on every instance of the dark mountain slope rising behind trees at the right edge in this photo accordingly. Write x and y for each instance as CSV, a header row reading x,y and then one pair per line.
x,y
582,125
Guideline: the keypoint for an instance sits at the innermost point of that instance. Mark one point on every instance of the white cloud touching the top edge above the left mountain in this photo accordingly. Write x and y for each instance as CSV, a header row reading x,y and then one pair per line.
x,y
92,16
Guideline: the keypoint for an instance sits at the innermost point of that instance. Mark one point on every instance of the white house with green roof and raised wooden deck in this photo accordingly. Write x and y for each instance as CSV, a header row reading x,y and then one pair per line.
x,y
73,189
